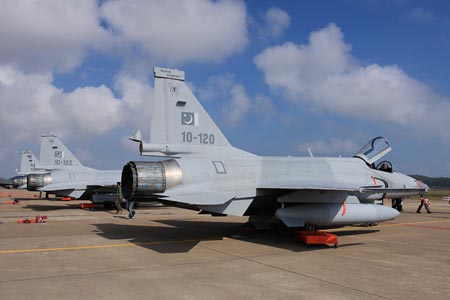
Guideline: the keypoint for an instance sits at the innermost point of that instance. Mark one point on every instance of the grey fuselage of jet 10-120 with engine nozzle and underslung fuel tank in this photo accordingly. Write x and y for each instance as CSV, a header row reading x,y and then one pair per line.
x,y
240,183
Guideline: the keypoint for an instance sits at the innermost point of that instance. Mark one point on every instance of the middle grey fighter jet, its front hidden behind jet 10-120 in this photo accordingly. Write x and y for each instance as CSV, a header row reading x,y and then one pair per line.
x,y
59,172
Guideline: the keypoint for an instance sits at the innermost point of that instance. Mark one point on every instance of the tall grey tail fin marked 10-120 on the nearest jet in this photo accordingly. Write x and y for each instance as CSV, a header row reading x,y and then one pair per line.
x,y
178,119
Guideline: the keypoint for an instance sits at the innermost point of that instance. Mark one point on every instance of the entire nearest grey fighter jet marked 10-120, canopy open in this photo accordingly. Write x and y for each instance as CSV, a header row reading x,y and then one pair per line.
x,y
199,169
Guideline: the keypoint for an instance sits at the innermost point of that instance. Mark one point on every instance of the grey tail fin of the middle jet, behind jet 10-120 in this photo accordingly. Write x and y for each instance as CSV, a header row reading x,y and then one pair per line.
x,y
54,154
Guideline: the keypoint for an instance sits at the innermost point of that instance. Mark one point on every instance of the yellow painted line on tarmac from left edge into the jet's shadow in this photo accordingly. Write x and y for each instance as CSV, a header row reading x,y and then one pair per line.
x,y
95,247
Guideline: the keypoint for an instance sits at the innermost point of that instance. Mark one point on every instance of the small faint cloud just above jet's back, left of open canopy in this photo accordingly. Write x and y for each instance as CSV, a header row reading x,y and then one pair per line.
x,y
332,147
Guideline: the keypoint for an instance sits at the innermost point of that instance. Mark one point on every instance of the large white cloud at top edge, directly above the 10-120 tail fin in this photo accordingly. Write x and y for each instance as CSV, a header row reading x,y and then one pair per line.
x,y
178,31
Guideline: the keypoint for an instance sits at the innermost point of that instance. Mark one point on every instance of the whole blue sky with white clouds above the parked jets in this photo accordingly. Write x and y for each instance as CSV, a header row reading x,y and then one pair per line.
x,y
277,76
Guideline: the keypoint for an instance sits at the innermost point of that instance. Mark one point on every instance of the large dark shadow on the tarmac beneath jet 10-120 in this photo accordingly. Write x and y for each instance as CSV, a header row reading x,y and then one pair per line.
x,y
181,236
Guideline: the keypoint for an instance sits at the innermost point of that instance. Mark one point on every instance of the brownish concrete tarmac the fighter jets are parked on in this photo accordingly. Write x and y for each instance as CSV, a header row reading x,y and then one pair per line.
x,y
170,253
